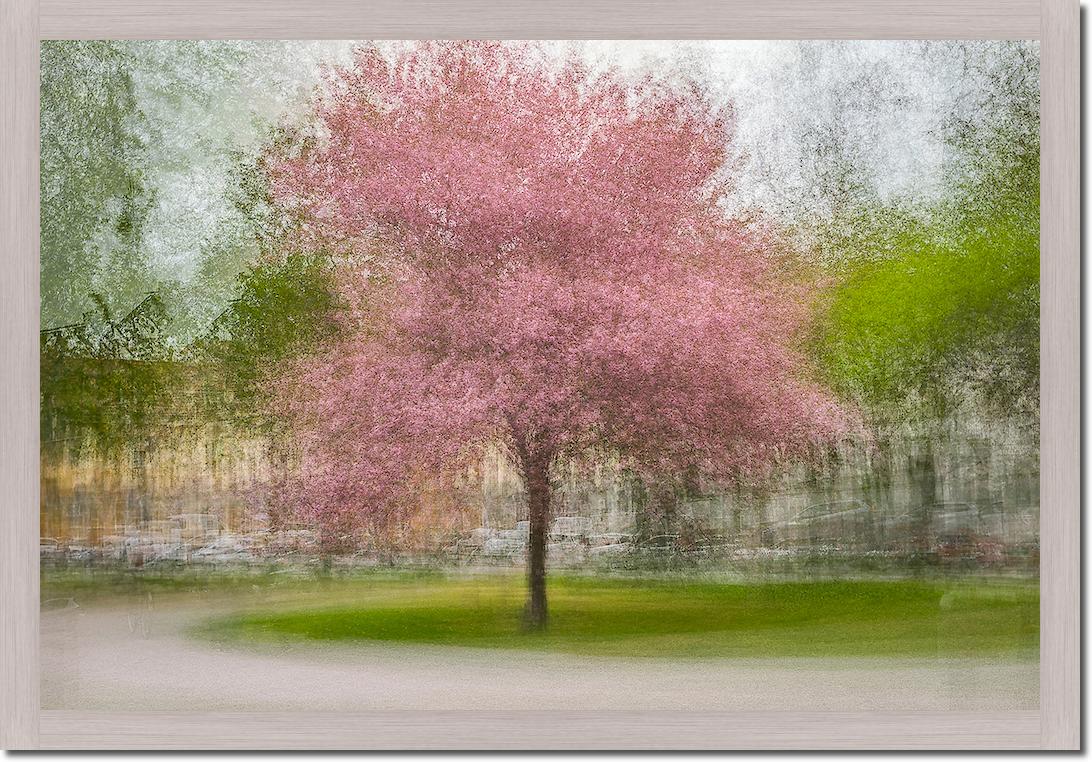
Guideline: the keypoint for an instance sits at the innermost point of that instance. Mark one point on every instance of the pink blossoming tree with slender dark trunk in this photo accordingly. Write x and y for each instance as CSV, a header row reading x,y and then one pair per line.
x,y
532,256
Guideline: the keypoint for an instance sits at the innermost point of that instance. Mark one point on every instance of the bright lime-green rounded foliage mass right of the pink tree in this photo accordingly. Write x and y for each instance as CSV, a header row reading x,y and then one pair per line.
x,y
928,318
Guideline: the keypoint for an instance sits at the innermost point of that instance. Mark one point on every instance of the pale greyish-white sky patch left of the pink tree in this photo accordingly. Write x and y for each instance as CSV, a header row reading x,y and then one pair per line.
x,y
204,102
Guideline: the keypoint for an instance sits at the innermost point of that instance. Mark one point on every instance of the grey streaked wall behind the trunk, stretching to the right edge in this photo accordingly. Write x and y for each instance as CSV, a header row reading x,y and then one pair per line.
x,y
990,465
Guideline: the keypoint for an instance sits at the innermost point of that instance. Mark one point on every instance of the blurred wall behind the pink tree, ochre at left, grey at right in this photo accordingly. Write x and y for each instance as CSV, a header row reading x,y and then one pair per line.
x,y
89,495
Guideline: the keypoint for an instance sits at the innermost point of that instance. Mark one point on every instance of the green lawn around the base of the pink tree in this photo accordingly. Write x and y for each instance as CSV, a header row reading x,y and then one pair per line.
x,y
668,618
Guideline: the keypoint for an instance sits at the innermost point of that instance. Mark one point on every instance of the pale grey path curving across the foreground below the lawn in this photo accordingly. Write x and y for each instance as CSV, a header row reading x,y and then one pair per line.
x,y
138,657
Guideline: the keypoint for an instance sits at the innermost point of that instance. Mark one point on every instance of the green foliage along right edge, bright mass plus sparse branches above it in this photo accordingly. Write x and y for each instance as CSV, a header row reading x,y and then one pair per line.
x,y
929,311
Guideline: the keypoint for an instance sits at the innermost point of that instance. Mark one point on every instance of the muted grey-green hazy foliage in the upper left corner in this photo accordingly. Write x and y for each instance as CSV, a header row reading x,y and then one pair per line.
x,y
93,198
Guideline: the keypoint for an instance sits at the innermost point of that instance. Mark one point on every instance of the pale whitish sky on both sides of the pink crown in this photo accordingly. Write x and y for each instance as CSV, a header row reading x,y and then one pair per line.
x,y
779,89
